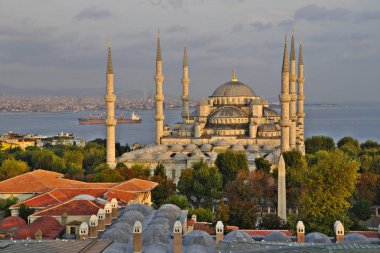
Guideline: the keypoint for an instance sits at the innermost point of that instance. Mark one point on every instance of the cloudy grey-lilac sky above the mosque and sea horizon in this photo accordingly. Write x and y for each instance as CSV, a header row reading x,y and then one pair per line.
x,y
63,44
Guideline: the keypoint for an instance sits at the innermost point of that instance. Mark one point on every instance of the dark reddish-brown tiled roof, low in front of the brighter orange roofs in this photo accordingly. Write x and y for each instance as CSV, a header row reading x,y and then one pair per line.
x,y
72,207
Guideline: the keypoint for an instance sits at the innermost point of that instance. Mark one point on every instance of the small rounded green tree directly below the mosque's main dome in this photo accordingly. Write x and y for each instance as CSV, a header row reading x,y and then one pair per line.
x,y
230,163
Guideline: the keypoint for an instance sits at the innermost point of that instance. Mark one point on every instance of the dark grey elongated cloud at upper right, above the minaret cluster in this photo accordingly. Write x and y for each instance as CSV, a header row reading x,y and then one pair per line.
x,y
313,12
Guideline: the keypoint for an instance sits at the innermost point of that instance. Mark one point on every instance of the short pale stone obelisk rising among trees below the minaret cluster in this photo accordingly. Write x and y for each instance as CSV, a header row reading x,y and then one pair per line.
x,y
281,191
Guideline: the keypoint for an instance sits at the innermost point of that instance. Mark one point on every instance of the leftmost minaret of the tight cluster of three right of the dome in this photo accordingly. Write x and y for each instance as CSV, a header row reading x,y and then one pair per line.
x,y
285,99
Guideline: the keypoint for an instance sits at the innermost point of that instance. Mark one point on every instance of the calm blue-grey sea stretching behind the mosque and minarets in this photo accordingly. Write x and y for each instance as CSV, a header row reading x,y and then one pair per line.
x,y
359,121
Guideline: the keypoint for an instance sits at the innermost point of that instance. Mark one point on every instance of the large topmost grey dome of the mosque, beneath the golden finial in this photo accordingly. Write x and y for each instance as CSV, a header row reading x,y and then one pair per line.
x,y
233,89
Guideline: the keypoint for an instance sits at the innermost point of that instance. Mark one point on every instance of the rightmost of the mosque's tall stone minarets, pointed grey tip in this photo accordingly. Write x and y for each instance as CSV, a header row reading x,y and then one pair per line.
x,y
300,100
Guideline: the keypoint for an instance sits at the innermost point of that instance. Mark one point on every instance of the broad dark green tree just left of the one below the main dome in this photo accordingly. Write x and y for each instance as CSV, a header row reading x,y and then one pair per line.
x,y
202,185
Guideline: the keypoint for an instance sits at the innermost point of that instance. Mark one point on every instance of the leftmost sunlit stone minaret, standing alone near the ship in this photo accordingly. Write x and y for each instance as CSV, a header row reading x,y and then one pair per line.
x,y
110,121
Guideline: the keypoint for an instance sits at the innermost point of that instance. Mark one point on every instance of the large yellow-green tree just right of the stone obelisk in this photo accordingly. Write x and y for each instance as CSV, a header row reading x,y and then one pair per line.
x,y
327,189
